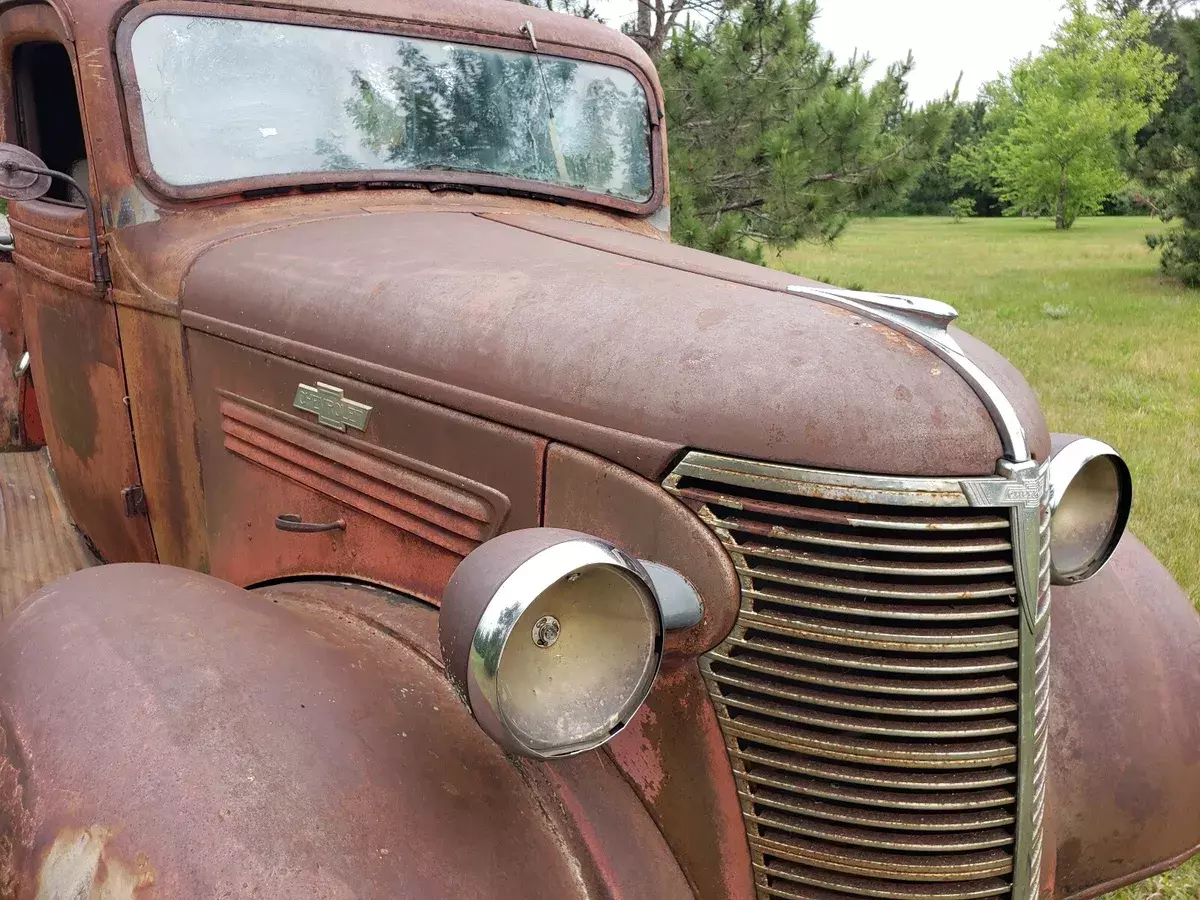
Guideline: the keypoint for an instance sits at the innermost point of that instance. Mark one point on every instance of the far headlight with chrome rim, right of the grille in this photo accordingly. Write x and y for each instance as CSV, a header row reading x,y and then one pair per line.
x,y
1091,494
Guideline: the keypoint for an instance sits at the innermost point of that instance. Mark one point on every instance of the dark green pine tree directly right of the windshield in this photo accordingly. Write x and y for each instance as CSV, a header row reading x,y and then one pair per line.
x,y
773,142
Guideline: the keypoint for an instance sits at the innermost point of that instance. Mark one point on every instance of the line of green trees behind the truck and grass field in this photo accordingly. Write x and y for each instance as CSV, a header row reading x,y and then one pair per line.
x,y
773,141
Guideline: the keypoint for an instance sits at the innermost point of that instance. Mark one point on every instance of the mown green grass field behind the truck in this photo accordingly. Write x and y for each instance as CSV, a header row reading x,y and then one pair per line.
x,y
1111,347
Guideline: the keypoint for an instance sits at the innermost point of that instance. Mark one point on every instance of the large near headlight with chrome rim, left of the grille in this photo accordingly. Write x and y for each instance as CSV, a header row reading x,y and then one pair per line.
x,y
554,638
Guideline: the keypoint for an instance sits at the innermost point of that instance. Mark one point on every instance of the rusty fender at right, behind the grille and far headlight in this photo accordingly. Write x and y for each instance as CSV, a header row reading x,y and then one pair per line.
x,y
1125,742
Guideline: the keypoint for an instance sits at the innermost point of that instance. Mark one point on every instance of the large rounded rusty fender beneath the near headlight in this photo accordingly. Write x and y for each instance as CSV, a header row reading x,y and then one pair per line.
x,y
167,735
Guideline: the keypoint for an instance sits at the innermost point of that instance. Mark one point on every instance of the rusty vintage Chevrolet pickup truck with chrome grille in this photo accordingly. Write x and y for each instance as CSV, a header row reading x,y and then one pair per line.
x,y
393,512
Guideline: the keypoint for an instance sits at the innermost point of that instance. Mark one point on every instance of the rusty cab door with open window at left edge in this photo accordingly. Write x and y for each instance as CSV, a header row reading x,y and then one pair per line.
x,y
70,326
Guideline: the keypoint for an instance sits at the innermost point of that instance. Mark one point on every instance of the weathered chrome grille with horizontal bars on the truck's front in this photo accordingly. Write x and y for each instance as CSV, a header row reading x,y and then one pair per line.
x,y
885,693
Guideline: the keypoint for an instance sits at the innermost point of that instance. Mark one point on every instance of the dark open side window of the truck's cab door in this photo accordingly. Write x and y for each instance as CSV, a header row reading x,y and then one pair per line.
x,y
49,121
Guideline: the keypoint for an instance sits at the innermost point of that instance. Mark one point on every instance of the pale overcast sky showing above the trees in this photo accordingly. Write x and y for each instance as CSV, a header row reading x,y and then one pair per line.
x,y
977,38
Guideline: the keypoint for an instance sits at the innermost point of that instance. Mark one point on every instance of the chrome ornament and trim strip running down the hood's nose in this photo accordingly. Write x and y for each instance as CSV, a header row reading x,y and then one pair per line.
x,y
927,322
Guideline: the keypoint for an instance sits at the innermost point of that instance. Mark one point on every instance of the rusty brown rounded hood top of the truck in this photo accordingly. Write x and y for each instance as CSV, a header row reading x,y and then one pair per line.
x,y
622,345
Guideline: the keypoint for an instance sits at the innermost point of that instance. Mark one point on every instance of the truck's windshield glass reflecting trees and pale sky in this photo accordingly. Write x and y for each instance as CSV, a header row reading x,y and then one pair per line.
x,y
226,99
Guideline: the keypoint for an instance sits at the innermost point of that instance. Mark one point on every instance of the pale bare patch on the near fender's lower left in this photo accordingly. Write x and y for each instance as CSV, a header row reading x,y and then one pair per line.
x,y
79,868
